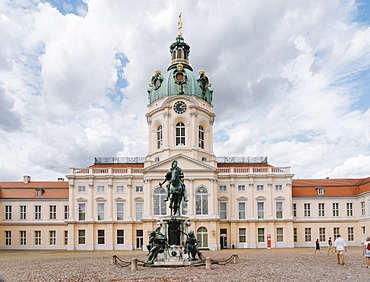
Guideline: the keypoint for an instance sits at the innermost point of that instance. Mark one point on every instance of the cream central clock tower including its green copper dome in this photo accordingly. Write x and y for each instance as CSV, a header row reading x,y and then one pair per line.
x,y
180,112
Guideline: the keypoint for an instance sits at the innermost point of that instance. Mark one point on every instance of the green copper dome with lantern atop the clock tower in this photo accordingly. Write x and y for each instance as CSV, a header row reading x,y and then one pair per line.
x,y
179,79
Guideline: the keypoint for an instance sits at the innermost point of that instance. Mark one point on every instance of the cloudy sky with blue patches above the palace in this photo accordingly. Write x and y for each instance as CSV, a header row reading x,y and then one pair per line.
x,y
291,80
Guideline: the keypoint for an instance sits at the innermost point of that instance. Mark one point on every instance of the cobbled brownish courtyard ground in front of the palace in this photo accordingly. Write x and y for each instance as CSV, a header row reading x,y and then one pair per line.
x,y
299,264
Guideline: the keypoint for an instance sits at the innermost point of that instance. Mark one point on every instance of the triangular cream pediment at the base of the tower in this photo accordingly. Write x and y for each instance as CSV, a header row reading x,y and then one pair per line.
x,y
185,162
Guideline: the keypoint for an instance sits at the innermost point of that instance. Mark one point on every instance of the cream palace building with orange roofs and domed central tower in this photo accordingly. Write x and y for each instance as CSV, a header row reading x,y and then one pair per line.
x,y
233,202
